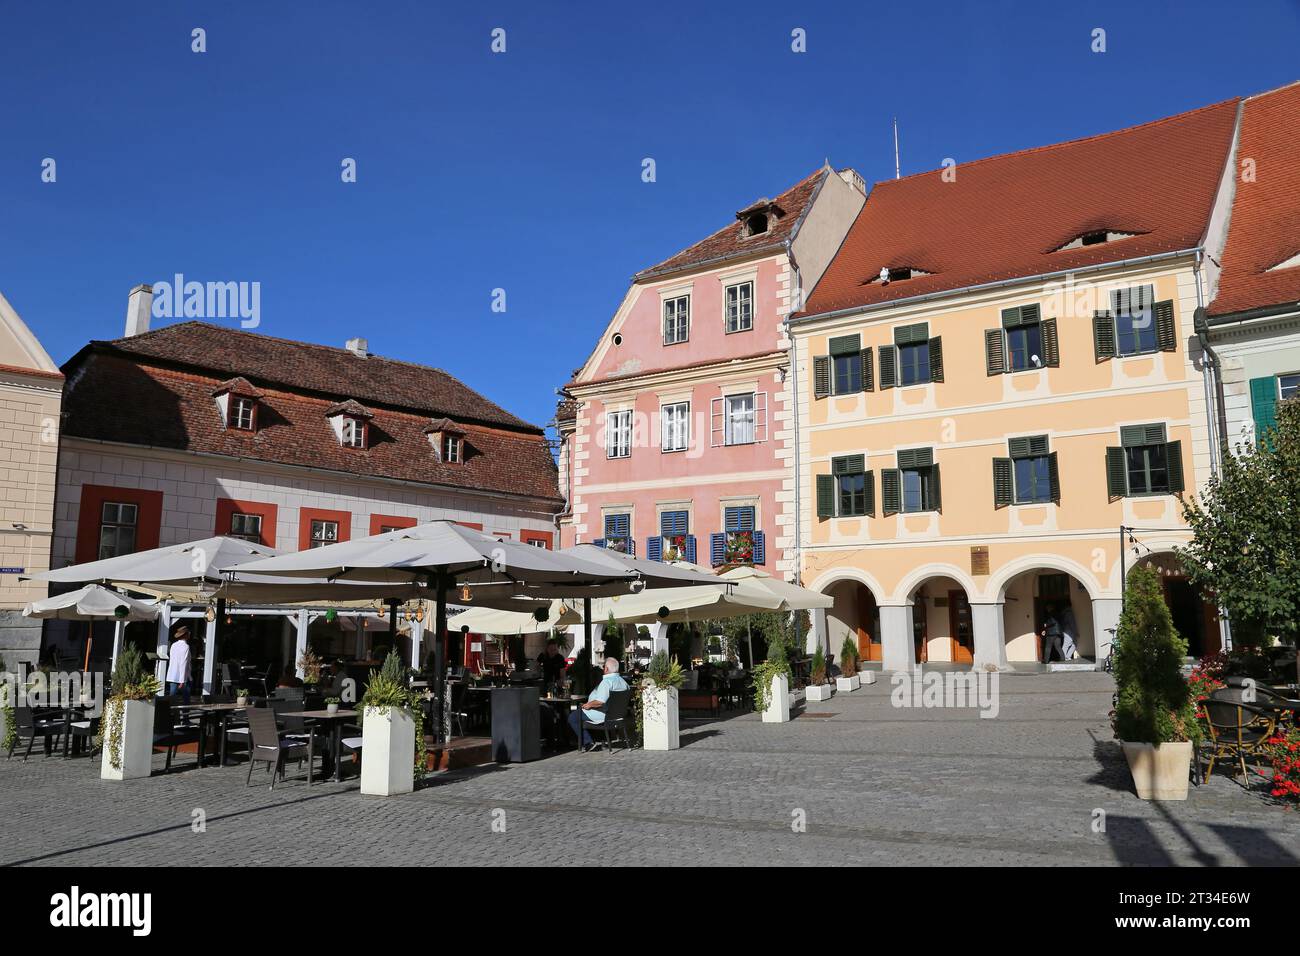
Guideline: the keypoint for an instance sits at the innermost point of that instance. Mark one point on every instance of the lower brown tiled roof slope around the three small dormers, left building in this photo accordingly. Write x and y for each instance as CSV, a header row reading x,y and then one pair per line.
x,y
128,399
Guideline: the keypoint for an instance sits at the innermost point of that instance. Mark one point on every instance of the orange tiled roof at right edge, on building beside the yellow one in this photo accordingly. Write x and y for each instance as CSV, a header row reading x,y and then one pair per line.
x,y
1264,228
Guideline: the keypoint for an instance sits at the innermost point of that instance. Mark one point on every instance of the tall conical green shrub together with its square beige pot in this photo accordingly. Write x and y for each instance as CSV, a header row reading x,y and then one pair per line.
x,y
1155,712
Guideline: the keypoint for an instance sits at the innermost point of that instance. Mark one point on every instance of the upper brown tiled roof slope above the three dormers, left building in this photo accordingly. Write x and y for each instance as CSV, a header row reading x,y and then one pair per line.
x,y
314,369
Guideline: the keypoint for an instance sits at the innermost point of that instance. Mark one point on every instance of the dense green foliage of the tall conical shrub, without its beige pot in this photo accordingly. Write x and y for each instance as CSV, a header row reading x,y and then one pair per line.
x,y
1155,704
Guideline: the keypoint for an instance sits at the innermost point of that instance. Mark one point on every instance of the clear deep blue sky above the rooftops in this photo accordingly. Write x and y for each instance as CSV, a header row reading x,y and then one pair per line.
x,y
518,171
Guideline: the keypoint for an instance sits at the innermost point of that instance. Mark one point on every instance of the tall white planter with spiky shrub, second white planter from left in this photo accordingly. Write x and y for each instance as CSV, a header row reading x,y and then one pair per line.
x,y
389,733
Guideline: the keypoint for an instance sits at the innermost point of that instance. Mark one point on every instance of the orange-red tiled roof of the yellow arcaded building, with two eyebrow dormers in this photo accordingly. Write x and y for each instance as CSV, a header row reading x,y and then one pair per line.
x,y
1008,217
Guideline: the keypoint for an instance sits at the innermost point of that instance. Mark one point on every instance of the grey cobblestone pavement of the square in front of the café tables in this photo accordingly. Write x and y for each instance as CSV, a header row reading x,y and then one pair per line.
x,y
878,785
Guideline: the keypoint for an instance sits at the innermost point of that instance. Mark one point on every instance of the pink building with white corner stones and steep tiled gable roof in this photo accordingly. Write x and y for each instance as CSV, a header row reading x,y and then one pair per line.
x,y
675,430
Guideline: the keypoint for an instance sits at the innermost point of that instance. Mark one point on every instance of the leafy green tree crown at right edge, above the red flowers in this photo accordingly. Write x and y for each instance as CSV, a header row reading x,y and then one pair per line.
x,y
1247,534
